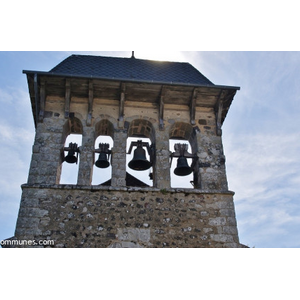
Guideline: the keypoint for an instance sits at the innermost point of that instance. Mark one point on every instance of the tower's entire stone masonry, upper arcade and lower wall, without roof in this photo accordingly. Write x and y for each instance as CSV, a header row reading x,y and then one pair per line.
x,y
85,215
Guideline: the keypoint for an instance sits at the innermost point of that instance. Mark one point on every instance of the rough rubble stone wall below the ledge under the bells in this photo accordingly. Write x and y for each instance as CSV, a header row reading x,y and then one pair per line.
x,y
84,216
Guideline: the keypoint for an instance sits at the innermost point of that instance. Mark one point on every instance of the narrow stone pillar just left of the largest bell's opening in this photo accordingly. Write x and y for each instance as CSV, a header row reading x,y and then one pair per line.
x,y
118,159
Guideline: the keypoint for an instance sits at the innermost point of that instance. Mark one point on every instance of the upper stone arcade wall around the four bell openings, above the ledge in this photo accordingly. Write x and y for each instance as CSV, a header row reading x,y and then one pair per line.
x,y
50,136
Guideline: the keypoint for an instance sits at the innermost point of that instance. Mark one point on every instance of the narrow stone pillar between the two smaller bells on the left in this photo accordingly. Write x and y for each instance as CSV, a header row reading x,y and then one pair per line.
x,y
85,173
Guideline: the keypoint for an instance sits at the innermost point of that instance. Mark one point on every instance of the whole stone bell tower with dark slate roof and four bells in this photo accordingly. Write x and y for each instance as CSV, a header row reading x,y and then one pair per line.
x,y
142,106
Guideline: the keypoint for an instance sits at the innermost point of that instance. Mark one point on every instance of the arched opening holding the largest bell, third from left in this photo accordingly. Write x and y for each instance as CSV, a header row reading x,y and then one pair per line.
x,y
140,159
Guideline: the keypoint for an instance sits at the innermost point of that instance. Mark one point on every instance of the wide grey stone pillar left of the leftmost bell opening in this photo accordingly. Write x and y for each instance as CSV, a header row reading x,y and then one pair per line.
x,y
46,161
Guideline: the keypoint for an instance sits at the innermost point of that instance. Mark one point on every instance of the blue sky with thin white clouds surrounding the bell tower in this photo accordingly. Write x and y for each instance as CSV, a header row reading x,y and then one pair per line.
x,y
261,136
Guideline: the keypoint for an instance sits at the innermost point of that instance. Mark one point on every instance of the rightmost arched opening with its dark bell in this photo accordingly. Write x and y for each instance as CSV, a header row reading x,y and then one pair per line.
x,y
183,146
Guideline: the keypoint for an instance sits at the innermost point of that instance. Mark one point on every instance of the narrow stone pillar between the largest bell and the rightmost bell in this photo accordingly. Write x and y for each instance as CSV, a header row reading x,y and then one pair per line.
x,y
162,178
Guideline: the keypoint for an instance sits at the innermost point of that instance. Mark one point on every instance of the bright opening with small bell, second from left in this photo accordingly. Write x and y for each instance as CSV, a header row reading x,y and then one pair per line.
x,y
102,166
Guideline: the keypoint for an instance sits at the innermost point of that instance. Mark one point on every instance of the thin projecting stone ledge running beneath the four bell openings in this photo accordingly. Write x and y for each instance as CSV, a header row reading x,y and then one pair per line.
x,y
95,188
